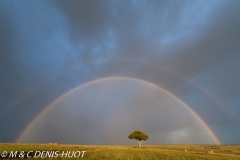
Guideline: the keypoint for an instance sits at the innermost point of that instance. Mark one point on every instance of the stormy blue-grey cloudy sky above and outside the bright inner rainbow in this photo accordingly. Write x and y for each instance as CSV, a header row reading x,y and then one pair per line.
x,y
50,47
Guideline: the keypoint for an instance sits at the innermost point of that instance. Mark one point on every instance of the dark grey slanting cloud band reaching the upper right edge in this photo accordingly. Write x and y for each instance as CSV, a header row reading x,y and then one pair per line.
x,y
219,43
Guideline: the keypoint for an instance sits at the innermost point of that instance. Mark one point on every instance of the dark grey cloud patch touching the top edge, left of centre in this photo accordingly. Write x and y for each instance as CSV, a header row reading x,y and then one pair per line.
x,y
87,19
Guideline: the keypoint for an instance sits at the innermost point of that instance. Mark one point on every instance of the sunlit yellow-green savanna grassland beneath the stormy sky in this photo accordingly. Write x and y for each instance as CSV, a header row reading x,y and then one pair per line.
x,y
147,152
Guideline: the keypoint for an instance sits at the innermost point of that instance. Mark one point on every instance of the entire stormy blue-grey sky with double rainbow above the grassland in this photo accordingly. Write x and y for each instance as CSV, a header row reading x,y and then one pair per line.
x,y
91,72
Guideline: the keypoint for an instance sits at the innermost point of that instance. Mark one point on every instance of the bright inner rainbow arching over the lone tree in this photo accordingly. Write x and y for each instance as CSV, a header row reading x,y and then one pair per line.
x,y
130,78
